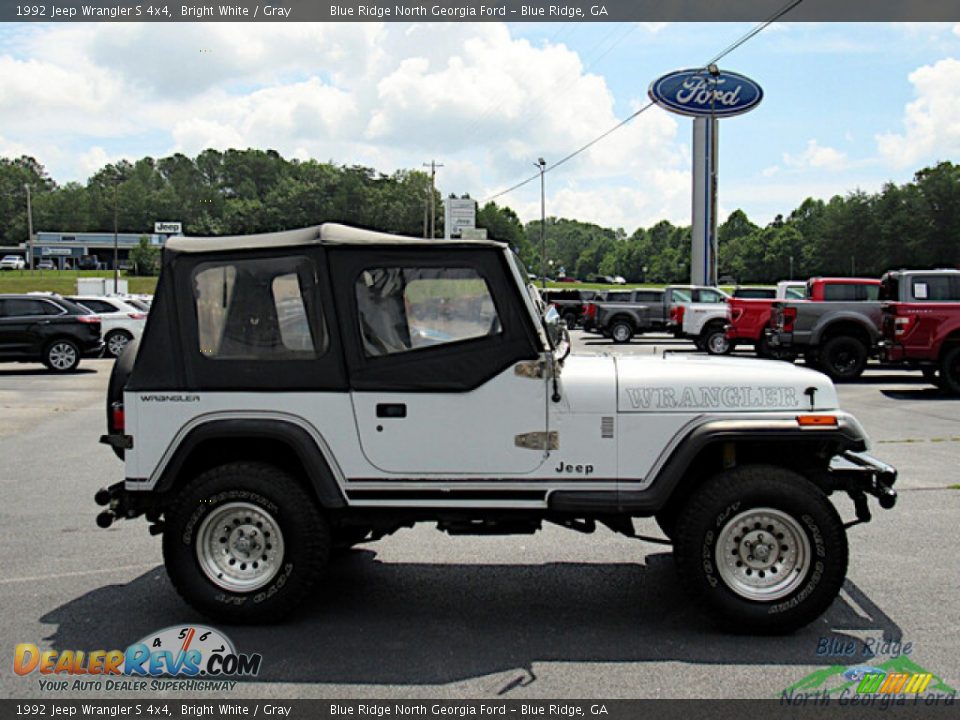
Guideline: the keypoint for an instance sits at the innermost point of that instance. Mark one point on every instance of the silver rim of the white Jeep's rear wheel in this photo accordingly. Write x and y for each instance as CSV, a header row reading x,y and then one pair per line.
x,y
239,547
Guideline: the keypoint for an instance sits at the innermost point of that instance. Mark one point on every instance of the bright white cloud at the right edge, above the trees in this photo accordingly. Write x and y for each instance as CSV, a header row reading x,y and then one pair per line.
x,y
931,126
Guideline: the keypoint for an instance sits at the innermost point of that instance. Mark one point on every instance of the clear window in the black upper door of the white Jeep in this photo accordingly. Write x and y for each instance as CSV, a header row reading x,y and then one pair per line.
x,y
406,309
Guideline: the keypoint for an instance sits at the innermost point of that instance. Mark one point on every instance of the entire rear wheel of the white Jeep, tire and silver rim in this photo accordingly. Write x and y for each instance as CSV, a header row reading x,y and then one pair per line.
x,y
245,543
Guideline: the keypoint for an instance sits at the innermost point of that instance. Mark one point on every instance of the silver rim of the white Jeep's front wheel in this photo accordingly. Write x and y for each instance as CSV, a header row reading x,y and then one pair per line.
x,y
762,554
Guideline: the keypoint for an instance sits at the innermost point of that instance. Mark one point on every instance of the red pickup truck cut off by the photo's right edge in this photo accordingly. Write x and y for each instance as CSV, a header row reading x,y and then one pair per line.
x,y
921,327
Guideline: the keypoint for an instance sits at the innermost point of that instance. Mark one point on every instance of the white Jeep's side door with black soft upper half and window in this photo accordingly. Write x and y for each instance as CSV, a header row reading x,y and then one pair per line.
x,y
434,339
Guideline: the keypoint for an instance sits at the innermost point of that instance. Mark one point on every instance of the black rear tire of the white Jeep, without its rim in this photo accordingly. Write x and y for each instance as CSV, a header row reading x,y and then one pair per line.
x,y
306,540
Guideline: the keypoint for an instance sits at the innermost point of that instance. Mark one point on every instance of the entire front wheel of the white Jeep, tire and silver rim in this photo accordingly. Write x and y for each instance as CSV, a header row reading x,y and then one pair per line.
x,y
762,549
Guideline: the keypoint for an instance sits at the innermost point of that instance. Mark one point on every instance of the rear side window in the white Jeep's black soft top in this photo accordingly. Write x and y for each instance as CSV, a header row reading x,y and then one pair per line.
x,y
255,310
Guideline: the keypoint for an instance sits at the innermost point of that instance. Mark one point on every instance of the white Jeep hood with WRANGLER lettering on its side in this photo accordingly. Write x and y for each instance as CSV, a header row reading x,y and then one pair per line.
x,y
702,383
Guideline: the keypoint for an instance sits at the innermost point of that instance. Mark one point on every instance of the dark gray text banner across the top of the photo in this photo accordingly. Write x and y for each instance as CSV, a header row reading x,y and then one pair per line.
x,y
476,11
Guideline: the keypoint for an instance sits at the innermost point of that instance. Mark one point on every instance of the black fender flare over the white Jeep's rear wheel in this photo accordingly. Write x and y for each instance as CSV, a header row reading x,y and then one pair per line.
x,y
319,472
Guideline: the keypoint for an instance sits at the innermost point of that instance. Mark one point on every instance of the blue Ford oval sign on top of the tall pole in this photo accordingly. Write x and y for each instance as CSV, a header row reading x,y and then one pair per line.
x,y
700,94
